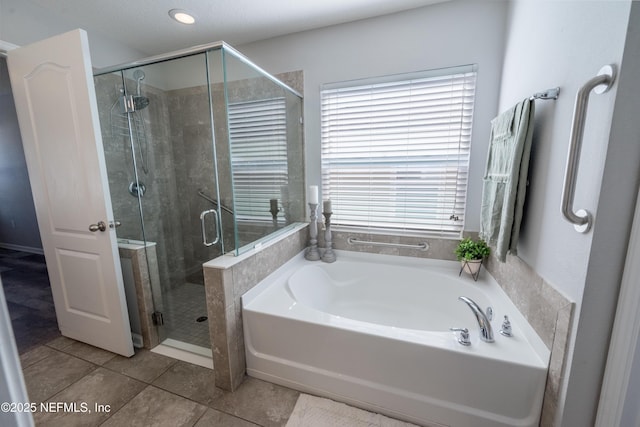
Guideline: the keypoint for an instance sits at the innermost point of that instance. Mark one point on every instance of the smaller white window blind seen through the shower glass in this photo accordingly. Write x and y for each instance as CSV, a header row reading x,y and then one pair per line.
x,y
258,138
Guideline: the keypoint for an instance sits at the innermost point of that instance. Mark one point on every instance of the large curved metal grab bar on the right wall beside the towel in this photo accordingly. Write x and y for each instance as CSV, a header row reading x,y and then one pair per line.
x,y
582,219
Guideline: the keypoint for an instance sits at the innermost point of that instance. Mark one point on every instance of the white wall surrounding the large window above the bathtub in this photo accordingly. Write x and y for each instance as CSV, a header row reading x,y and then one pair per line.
x,y
442,35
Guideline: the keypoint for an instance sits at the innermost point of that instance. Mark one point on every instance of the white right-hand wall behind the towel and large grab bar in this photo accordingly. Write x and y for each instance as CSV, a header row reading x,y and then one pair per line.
x,y
564,43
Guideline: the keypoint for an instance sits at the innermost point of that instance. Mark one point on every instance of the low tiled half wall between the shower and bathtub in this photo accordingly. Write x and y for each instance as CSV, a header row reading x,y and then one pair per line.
x,y
225,284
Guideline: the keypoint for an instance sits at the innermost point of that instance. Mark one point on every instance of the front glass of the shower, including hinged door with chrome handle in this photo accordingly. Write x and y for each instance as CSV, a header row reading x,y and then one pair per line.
x,y
167,178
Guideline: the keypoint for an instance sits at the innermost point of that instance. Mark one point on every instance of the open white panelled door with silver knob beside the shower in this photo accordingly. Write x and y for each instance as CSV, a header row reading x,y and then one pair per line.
x,y
56,103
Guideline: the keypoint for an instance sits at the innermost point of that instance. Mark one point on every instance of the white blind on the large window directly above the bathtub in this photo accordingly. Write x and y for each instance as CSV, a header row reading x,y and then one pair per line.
x,y
395,150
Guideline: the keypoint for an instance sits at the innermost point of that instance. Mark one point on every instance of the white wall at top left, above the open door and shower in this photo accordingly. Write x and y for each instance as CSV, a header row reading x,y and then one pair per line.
x,y
22,23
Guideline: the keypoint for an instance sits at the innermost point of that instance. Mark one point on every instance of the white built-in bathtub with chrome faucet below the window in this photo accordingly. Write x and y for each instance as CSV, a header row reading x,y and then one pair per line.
x,y
373,331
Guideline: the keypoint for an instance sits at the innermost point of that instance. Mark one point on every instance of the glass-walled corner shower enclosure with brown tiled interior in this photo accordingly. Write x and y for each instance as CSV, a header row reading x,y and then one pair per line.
x,y
204,157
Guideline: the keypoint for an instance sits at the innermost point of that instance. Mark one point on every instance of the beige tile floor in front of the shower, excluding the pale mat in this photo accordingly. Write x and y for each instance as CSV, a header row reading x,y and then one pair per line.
x,y
145,390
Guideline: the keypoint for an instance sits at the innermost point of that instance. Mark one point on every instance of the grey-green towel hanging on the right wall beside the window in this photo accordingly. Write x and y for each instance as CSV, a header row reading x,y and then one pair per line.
x,y
505,179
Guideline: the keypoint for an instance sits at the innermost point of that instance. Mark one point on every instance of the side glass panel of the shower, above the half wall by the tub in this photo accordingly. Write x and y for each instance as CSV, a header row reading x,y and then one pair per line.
x,y
264,141
